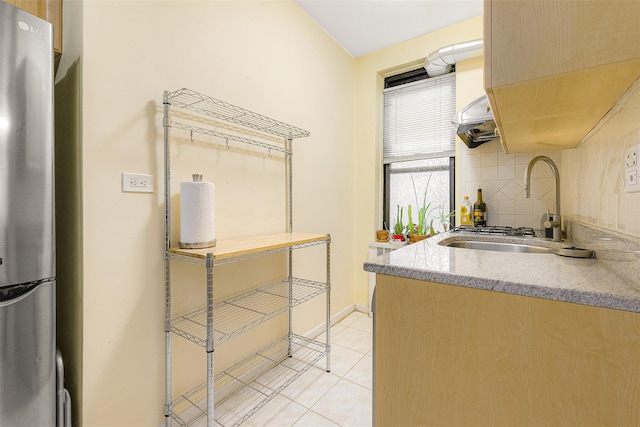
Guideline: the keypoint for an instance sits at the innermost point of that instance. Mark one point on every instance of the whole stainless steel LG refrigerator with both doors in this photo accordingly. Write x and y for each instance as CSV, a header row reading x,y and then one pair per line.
x,y
28,391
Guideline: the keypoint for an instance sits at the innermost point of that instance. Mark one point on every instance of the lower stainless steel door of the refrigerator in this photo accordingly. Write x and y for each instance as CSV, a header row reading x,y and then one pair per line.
x,y
27,358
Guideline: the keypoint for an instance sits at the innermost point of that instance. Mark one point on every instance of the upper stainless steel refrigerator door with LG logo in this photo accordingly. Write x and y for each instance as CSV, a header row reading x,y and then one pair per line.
x,y
26,148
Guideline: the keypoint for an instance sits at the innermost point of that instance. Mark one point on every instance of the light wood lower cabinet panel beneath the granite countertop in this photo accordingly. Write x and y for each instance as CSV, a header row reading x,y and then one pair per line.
x,y
451,356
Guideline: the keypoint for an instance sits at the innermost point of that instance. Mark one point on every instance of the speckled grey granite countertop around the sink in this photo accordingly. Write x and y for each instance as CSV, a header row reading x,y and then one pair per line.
x,y
609,280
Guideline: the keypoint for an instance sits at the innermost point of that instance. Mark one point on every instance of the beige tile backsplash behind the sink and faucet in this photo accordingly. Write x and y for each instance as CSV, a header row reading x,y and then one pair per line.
x,y
591,176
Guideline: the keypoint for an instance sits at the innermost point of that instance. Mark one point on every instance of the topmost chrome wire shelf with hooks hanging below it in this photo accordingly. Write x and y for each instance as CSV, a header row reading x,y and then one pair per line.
x,y
211,107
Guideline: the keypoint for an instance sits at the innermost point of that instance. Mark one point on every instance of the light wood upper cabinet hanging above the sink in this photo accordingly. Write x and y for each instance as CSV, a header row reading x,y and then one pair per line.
x,y
554,68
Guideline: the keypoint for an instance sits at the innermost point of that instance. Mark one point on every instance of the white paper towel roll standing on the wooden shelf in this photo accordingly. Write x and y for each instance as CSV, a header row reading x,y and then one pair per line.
x,y
197,215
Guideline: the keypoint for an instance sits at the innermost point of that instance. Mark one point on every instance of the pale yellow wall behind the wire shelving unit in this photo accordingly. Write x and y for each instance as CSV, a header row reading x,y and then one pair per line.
x,y
265,56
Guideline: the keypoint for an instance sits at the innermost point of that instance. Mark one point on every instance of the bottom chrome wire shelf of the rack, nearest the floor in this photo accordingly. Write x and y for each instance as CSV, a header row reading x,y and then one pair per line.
x,y
247,386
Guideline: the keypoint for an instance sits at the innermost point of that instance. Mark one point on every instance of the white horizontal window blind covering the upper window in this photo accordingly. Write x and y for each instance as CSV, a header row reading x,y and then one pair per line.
x,y
417,119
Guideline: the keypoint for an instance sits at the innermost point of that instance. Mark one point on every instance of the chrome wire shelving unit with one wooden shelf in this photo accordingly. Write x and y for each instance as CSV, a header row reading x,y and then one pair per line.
x,y
232,396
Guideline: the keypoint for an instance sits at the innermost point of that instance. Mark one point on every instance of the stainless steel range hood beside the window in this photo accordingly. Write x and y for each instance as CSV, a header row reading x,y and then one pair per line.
x,y
475,124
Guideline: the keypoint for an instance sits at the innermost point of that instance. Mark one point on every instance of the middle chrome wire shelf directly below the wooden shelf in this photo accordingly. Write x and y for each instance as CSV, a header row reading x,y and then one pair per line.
x,y
239,314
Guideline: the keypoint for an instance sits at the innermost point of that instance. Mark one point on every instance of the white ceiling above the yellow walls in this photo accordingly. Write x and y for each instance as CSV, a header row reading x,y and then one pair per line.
x,y
364,26
